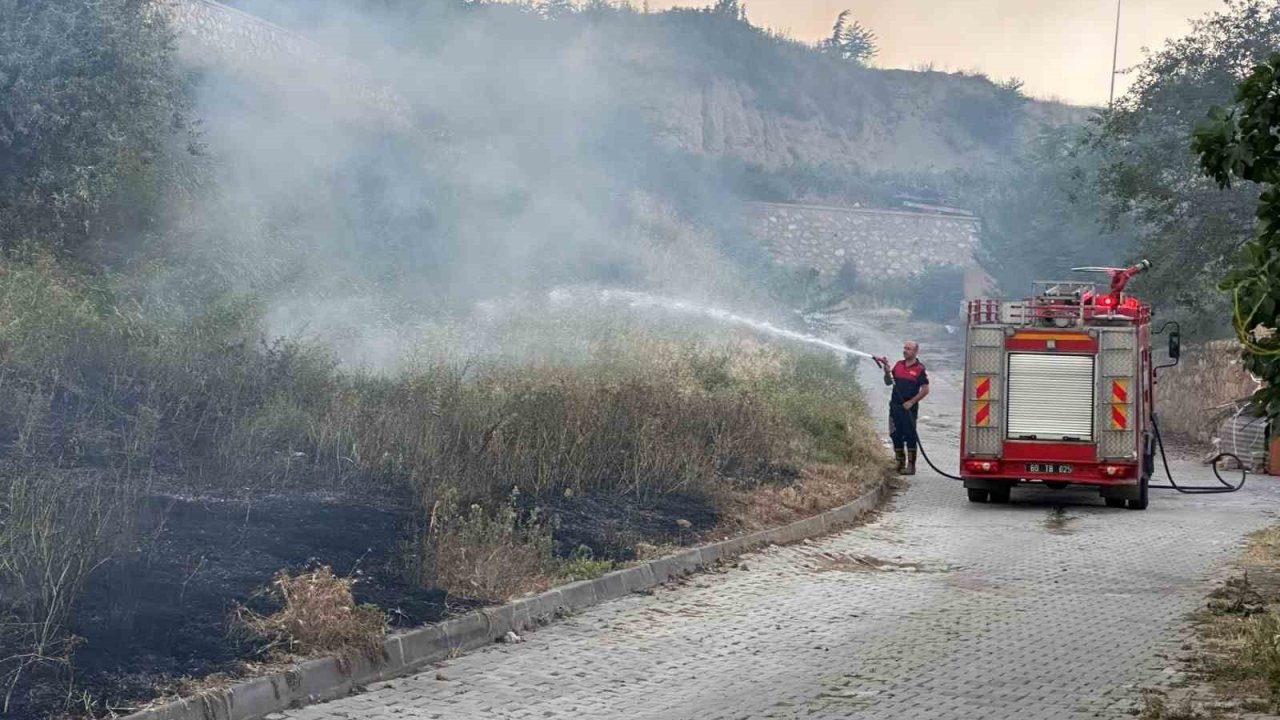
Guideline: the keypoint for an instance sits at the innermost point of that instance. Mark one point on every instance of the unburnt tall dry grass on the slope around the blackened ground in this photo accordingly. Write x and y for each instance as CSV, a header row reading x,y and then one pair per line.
x,y
100,403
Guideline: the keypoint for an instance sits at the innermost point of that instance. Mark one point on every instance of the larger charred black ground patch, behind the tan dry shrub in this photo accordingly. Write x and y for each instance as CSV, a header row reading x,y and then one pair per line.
x,y
159,614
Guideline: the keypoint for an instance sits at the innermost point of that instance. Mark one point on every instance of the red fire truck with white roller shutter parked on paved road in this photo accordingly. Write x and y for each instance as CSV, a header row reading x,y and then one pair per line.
x,y
1059,391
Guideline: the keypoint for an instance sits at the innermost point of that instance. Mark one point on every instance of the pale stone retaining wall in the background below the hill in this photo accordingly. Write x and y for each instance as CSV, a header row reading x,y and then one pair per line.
x,y
880,244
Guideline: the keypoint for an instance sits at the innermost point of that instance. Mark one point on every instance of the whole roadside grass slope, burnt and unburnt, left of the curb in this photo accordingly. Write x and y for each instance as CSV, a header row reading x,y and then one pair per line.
x,y
176,467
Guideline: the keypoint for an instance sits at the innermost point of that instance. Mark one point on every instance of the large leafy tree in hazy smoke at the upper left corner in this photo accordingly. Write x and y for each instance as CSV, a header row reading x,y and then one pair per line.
x,y
89,95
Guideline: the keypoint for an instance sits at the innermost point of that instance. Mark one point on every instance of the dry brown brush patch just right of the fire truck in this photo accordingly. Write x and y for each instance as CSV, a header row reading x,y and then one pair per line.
x,y
1191,397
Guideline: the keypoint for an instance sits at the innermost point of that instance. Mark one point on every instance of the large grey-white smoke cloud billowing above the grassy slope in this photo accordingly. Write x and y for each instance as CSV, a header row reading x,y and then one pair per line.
x,y
524,167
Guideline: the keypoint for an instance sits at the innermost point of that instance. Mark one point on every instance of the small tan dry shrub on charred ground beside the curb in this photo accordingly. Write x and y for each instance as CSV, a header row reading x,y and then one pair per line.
x,y
318,616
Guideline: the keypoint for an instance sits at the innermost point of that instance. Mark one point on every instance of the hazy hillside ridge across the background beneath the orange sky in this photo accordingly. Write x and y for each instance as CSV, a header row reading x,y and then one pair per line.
x,y
711,84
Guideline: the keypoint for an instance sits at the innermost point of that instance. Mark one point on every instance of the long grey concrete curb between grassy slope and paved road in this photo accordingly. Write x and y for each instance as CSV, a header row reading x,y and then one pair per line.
x,y
404,654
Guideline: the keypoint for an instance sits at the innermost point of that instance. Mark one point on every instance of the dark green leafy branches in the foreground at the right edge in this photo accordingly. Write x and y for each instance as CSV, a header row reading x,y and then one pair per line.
x,y
1245,144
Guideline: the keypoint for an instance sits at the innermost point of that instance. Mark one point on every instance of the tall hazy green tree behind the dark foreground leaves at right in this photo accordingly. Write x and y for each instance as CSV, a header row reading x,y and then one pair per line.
x,y
1185,224
